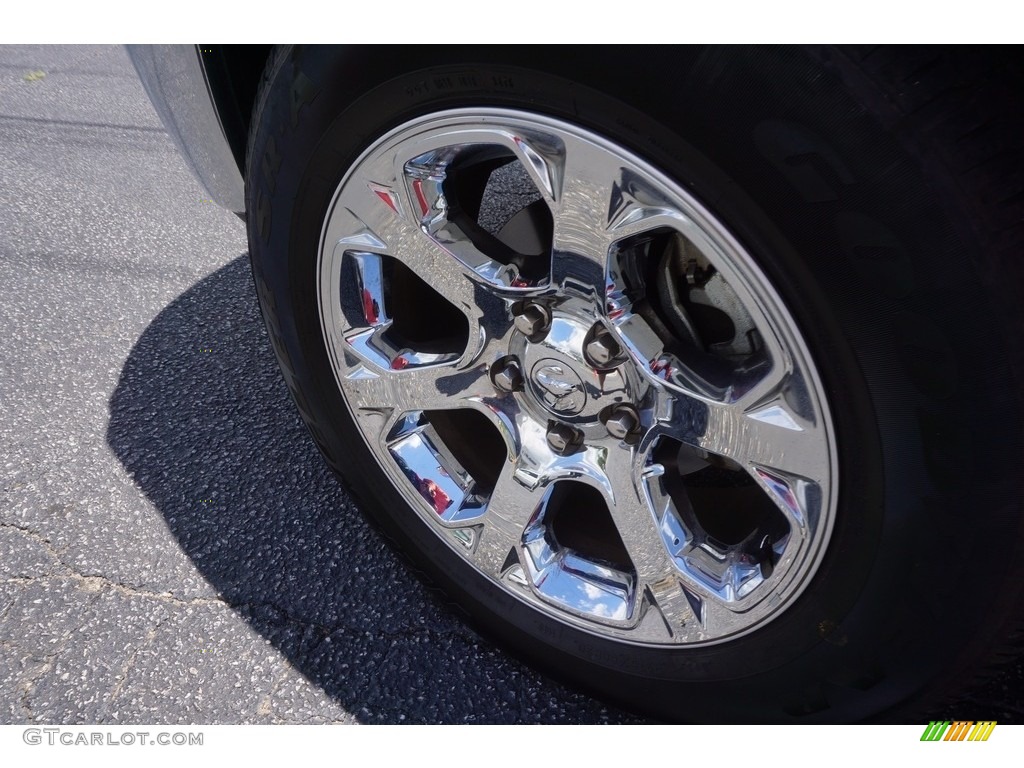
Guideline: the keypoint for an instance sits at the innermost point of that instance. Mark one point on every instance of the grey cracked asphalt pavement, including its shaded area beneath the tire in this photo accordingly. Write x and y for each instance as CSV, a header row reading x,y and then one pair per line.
x,y
173,548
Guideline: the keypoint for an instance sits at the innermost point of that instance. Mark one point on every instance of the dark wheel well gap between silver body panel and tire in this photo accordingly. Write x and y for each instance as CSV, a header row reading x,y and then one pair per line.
x,y
234,73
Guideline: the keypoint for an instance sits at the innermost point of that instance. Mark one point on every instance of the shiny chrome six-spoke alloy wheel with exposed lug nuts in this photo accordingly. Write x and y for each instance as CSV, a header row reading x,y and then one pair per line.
x,y
585,387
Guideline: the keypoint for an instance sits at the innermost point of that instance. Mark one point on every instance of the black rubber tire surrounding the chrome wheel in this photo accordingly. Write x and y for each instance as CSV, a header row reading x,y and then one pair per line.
x,y
882,195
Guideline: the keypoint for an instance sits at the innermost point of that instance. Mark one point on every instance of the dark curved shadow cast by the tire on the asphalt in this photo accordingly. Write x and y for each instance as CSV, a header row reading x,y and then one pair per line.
x,y
202,419
